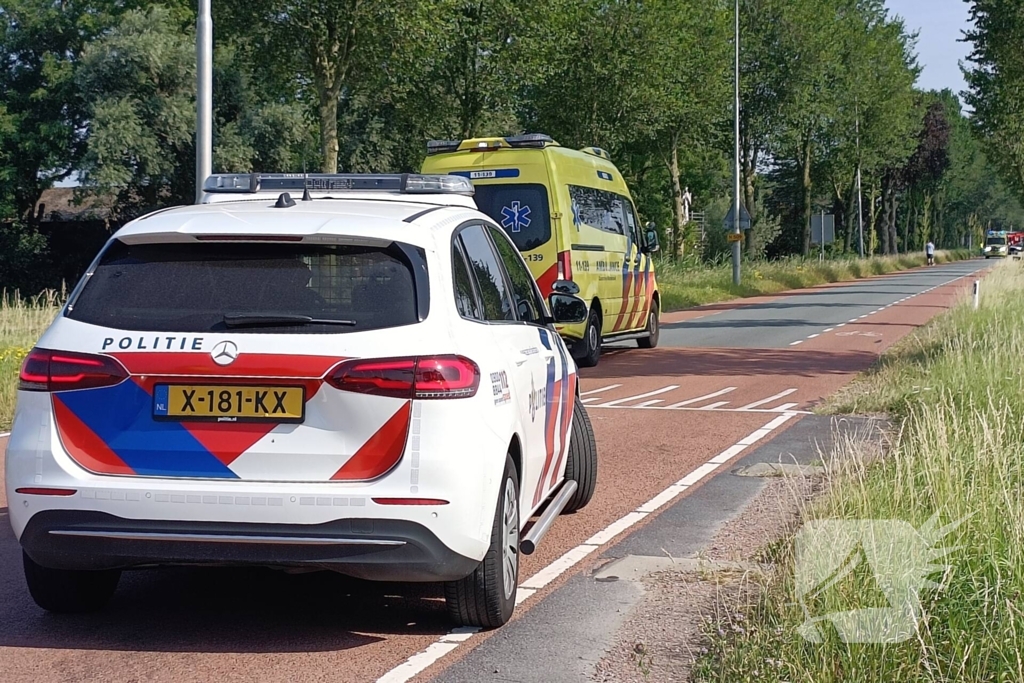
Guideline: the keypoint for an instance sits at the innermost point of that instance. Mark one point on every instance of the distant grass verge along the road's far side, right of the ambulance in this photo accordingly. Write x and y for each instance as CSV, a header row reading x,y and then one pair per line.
x,y
688,285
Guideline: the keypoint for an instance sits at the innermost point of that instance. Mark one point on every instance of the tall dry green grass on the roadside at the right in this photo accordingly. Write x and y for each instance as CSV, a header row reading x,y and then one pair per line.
x,y
957,392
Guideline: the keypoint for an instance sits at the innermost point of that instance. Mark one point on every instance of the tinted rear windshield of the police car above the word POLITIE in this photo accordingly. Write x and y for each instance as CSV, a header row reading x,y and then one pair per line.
x,y
252,288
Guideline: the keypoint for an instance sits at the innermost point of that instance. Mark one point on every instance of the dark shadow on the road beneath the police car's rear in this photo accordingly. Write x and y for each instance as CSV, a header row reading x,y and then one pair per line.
x,y
186,610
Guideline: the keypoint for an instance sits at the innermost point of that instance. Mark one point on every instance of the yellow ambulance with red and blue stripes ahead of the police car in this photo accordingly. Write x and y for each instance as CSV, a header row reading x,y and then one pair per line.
x,y
571,215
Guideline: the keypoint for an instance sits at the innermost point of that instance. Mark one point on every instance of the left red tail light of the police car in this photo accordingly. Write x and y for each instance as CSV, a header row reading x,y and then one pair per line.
x,y
45,370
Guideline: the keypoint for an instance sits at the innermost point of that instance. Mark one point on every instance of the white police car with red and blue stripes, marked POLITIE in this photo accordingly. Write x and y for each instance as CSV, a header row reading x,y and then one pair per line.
x,y
354,373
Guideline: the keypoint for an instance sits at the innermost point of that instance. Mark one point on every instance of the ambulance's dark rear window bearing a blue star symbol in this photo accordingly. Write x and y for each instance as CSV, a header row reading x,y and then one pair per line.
x,y
522,210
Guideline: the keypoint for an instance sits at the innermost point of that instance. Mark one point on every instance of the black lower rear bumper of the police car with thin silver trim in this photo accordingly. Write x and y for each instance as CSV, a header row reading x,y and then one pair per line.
x,y
372,549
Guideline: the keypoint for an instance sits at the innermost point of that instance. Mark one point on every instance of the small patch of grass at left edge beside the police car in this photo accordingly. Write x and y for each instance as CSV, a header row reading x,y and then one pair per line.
x,y
22,322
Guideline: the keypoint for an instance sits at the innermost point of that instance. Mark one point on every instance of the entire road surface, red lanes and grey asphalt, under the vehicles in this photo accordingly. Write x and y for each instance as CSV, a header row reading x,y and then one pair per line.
x,y
728,379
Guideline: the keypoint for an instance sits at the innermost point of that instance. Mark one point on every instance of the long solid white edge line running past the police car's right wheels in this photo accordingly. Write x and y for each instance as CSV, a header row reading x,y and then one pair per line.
x,y
450,642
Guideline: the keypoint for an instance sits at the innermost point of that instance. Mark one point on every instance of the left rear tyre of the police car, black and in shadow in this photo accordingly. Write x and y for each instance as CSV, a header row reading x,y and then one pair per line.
x,y
70,590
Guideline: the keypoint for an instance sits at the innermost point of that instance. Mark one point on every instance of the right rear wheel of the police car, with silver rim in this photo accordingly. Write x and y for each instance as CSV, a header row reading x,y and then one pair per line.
x,y
487,597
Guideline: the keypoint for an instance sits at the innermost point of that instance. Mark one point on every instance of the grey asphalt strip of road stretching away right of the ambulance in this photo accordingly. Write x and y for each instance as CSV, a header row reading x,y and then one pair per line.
x,y
779,323
